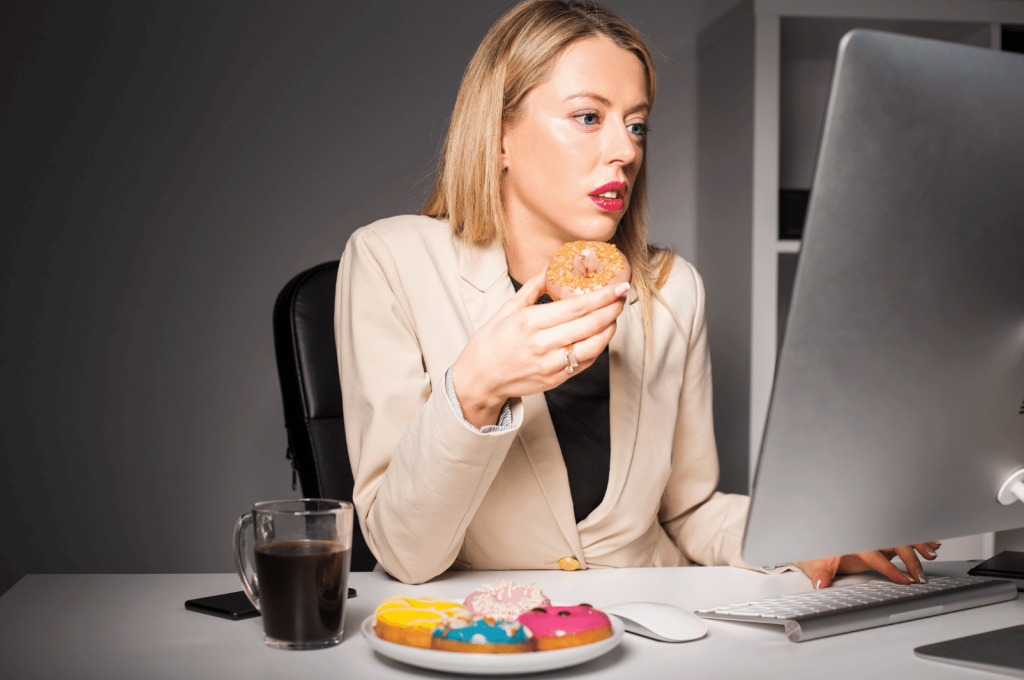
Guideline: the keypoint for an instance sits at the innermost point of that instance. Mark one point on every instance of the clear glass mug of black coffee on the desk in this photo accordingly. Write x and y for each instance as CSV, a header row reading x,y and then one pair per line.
x,y
303,552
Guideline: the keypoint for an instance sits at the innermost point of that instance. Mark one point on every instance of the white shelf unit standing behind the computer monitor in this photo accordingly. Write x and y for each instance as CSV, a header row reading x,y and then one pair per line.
x,y
763,72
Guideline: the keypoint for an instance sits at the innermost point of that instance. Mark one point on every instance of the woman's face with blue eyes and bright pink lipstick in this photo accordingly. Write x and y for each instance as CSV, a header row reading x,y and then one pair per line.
x,y
572,159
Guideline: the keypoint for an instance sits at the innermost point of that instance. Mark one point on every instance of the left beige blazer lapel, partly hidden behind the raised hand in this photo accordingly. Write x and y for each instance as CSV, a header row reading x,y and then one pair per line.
x,y
486,272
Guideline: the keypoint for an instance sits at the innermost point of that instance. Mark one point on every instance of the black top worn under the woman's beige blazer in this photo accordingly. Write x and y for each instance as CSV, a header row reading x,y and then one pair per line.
x,y
583,424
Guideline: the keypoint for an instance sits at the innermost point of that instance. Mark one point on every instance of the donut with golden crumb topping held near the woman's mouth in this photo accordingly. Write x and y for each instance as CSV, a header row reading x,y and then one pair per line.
x,y
582,267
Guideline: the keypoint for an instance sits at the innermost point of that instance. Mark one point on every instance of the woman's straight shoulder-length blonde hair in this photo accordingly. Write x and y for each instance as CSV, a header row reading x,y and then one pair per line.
x,y
516,57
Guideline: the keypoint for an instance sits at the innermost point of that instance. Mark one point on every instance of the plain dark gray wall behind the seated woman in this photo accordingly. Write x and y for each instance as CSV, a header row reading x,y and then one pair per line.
x,y
168,167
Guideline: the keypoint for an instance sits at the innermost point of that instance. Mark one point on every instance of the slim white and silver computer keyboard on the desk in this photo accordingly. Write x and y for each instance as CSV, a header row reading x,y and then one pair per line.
x,y
845,609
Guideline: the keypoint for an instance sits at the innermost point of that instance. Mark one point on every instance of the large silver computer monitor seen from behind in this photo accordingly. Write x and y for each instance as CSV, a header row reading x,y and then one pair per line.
x,y
898,411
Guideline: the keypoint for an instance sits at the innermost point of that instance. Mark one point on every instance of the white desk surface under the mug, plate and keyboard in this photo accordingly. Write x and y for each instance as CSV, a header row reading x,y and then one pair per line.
x,y
136,626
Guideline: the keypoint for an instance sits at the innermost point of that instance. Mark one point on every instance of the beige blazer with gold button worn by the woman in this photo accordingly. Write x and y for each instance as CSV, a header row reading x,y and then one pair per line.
x,y
432,493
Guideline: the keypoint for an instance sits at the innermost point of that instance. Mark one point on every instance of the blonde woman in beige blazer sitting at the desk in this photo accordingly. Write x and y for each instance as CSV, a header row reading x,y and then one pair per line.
x,y
474,440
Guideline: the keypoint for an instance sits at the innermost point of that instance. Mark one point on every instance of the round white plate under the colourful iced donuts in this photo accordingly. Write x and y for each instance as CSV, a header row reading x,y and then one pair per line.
x,y
454,662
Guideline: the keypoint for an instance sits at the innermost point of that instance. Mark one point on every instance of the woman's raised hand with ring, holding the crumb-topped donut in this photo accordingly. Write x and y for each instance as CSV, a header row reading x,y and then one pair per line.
x,y
522,350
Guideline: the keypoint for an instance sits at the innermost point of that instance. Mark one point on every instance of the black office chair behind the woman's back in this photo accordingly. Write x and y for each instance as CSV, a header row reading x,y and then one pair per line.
x,y
308,365
